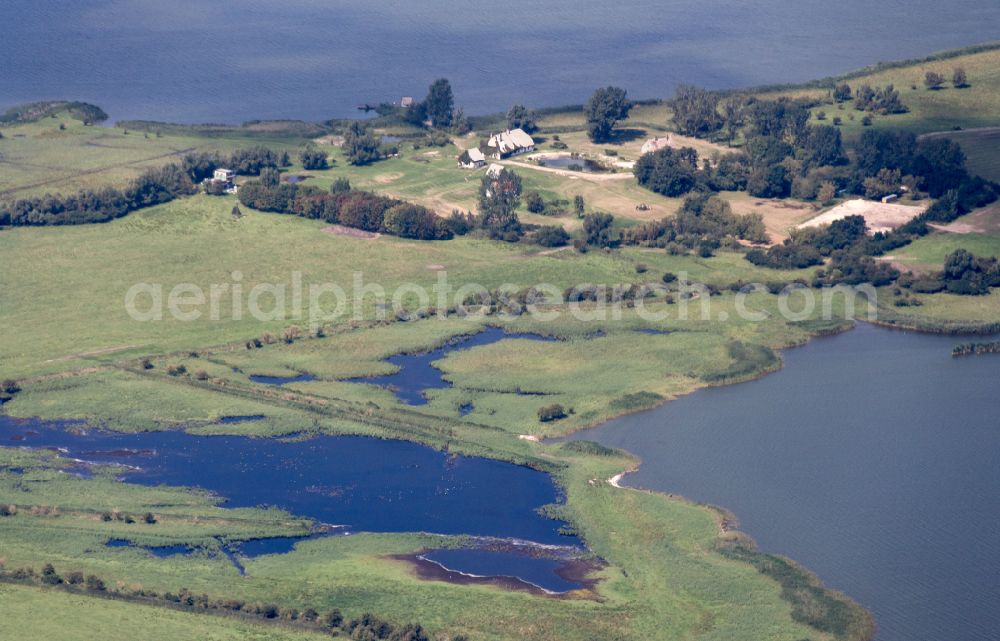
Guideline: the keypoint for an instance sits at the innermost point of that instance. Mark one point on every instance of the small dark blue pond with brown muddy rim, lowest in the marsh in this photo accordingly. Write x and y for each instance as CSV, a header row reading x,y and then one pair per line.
x,y
540,572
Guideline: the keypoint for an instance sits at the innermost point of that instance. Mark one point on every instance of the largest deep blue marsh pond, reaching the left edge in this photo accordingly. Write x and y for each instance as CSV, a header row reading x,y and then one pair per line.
x,y
362,483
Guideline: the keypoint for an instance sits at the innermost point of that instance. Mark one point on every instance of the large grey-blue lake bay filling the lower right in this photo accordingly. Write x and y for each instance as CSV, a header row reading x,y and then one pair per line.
x,y
871,458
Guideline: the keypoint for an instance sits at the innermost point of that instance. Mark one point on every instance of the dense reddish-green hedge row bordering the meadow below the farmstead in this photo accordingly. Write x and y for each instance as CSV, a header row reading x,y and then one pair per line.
x,y
351,208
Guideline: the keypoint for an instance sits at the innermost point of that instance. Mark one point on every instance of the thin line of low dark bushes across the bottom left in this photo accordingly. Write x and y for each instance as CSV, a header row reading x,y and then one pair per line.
x,y
368,627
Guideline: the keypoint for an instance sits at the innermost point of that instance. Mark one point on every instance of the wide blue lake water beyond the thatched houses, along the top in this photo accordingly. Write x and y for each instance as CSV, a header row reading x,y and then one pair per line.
x,y
191,61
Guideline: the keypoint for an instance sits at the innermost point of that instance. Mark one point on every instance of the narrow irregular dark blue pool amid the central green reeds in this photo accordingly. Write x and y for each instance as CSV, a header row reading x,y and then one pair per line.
x,y
417,373
